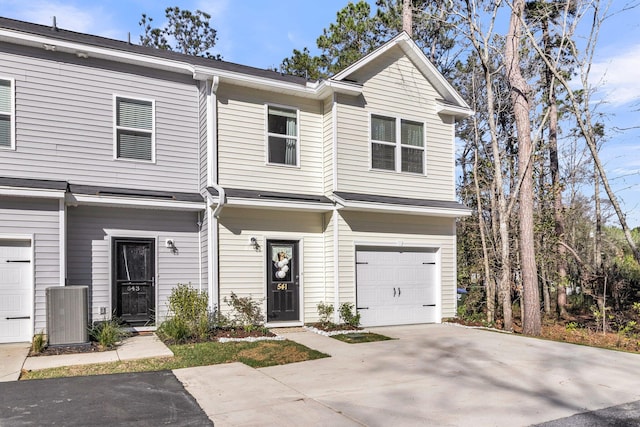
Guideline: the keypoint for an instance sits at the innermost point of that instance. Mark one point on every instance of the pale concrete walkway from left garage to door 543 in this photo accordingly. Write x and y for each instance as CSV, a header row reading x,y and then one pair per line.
x,y
14,356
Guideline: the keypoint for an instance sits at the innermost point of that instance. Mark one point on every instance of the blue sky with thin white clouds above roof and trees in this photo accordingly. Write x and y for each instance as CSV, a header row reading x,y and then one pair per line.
x,y
261,33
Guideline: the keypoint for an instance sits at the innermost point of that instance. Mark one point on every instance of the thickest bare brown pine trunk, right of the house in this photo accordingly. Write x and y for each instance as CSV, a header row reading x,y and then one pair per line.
x,y
519,91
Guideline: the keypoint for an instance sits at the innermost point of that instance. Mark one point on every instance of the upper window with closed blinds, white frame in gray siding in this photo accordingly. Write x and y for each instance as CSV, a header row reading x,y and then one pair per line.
x,y
134,129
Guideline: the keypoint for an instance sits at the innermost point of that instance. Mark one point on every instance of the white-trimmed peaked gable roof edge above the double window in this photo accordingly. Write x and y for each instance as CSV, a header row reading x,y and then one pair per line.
x,y
451,103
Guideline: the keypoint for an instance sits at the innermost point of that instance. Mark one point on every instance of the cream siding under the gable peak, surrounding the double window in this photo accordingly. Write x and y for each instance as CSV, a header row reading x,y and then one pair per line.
x,y
394,87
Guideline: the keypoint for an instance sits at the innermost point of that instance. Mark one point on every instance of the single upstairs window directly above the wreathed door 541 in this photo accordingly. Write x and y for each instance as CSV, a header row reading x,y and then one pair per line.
x,y
282,136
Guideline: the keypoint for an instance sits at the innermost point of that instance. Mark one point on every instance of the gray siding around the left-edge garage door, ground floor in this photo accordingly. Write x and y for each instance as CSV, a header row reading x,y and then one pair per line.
x,y
40,218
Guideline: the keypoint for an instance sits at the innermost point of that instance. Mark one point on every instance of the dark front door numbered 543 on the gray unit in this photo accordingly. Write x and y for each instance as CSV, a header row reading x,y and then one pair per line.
x,y
134,280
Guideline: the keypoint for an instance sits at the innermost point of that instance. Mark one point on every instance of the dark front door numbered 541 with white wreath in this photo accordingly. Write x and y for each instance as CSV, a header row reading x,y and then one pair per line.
x,y
283,281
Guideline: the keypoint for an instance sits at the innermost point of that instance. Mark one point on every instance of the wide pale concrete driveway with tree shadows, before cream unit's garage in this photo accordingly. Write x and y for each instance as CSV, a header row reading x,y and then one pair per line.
x,y
440,375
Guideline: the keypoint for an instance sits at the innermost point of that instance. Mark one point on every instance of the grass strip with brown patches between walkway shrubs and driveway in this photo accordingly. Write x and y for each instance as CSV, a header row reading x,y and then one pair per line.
x,y
255,354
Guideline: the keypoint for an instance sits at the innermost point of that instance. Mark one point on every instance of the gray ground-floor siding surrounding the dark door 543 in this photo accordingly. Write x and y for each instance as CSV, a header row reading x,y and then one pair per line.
x,y
90,230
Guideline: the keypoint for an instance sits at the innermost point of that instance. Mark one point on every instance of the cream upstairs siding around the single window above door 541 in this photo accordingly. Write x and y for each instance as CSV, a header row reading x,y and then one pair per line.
x,y
241,142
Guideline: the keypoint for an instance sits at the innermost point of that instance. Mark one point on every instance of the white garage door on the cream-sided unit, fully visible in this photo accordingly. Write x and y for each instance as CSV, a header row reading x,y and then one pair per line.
x,y
396,288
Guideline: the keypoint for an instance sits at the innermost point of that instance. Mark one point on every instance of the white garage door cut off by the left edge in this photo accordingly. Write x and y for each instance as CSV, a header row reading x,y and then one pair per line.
x,y
15,291
